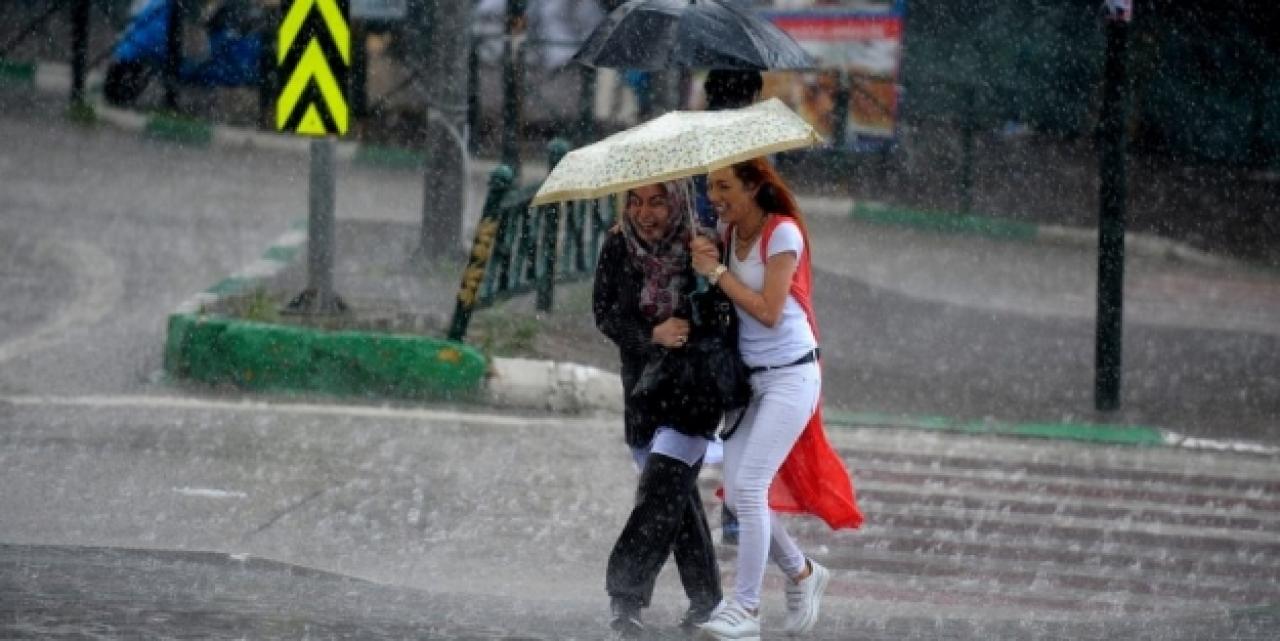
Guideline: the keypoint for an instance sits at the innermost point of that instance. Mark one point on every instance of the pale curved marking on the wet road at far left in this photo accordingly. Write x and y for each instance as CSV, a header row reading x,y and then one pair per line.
x,y
98,289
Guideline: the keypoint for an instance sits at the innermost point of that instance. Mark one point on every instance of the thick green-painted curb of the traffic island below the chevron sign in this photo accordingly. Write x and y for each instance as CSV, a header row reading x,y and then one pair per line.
x,y
263,358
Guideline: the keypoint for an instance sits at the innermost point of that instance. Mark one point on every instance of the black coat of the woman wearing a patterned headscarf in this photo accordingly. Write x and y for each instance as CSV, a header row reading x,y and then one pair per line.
x,y
616,304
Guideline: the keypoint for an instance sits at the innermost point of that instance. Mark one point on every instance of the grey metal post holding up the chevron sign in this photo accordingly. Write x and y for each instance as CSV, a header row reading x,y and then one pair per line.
x,y
319,297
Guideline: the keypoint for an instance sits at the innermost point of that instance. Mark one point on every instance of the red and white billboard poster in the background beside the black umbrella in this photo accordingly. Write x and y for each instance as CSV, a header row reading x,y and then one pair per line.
x,y
862,40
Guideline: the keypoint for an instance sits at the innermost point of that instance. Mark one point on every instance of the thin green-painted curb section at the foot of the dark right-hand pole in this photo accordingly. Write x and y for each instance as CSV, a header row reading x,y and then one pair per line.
x,y
1086,433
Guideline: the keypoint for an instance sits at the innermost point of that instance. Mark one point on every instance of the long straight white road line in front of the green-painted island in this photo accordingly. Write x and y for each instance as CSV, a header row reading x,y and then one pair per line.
x,y
147,402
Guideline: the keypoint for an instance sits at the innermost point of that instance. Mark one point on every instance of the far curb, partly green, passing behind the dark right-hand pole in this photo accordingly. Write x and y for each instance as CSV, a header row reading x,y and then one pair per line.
x,y
1005,230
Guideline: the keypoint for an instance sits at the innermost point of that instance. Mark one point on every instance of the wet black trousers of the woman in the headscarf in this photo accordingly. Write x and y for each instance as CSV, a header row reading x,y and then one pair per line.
x,y
668,519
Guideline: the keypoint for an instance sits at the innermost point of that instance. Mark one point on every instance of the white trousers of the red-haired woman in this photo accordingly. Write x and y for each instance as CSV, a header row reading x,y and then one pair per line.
x,y
783,404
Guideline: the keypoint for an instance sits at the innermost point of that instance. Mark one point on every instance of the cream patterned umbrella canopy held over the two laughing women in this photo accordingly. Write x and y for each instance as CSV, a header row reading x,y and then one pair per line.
x,y
675,145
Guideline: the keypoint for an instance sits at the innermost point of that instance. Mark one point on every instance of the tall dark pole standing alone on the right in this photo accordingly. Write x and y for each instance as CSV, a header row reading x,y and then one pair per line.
x,y
1113,191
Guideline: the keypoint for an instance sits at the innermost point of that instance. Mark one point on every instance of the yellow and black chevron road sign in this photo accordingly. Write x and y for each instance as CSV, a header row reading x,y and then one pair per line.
x,y
314,56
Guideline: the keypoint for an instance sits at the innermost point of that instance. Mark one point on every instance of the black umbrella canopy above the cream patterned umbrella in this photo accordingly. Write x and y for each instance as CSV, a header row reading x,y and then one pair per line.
x,y
693,35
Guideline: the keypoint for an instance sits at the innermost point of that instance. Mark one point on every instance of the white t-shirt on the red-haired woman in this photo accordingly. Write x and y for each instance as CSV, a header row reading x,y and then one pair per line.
x,y
792,338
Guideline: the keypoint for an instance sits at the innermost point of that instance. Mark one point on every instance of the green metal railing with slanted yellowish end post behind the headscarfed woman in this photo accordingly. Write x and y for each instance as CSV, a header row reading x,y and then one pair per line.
x,y
520,250
